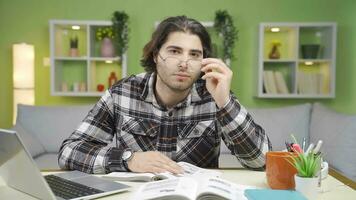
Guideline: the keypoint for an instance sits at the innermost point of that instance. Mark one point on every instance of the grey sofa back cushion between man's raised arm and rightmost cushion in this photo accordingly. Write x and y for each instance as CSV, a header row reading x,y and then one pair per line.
x,y
280,123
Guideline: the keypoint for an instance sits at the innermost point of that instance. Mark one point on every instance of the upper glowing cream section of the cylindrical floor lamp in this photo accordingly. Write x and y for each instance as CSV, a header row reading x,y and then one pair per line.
x,y
23,63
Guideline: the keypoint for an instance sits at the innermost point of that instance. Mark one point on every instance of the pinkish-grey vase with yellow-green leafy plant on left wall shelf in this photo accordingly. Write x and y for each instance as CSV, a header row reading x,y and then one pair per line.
x,y
105,35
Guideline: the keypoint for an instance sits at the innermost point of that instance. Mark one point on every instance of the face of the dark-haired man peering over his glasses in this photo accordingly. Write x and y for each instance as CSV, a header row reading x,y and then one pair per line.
x,y
179,61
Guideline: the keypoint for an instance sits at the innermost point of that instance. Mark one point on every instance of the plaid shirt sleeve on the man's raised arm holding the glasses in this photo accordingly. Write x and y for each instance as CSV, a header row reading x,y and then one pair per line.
x,y
245,139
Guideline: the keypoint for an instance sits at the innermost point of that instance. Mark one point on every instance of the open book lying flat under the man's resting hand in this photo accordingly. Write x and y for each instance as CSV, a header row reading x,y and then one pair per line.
x,y
189,171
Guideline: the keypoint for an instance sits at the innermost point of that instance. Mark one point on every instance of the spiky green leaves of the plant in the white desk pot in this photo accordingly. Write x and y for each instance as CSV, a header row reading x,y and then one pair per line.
x,y
306,164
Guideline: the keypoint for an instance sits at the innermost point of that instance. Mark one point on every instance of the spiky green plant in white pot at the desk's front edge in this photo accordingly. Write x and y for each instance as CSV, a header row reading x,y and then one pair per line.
x,y
308,166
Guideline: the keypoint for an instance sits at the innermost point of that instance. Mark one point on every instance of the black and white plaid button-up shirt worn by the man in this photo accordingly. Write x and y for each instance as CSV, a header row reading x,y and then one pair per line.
x,y
191,131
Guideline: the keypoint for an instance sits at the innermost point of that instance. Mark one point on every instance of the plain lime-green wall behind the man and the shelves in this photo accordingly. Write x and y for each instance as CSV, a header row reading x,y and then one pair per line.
x,y
27,21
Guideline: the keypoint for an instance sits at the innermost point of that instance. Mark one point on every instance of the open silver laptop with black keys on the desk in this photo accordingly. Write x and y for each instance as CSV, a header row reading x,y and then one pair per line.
x,y
19,171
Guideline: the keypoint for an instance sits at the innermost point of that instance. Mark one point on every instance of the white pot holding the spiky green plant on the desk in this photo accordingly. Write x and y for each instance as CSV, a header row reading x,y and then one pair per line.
x,y
307,186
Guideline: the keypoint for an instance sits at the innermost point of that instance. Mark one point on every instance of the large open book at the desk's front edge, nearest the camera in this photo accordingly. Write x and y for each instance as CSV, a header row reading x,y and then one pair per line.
x,y
187,188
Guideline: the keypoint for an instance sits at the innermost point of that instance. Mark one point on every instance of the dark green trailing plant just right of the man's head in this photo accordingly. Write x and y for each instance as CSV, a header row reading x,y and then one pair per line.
x,y
224,25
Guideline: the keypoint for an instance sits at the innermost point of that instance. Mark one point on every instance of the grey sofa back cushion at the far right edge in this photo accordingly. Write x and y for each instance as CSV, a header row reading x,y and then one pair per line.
x,y
338,133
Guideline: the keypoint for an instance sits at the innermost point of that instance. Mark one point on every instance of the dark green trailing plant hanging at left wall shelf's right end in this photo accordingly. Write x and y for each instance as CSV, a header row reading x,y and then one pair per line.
x,y
121,30
